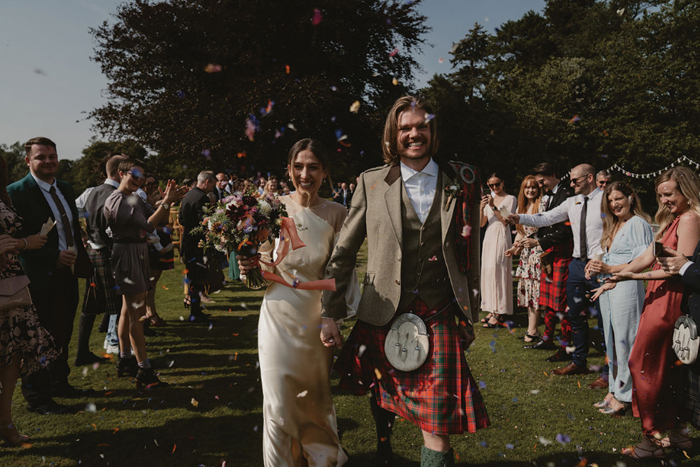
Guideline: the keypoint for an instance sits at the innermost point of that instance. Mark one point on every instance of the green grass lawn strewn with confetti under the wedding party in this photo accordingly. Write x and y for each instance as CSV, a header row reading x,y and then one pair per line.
x,y
212,412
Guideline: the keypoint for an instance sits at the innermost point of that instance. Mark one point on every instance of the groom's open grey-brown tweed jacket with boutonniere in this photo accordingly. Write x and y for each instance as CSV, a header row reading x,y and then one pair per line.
x,y
376,214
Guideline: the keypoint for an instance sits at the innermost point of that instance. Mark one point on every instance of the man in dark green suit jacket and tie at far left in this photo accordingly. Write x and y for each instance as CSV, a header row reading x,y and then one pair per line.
x,y
41,197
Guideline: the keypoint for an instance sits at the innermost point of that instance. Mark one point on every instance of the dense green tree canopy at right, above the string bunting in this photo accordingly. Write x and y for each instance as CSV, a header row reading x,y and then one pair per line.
x,y
601,82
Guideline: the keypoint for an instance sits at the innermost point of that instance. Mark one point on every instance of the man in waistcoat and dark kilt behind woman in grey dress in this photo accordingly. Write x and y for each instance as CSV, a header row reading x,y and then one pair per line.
x,y
100,290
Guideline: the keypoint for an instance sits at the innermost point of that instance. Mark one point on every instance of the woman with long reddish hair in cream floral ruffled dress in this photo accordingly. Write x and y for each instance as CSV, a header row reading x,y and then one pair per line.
x,y
528,247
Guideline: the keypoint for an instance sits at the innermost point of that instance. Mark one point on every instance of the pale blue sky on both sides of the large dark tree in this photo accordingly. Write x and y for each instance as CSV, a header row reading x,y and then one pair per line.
x,y
47,80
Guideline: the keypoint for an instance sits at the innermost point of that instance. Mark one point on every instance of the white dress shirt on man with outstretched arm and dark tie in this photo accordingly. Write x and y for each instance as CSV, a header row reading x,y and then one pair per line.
x,y
571,210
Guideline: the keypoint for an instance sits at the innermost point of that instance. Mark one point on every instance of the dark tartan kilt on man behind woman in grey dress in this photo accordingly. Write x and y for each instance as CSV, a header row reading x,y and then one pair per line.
x,y
100,293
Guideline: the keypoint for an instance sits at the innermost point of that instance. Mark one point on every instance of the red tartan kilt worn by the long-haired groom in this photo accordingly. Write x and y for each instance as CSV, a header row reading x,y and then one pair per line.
x,y
440,397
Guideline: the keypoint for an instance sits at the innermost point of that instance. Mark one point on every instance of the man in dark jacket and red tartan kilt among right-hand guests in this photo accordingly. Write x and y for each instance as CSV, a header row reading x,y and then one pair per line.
x,y
557,243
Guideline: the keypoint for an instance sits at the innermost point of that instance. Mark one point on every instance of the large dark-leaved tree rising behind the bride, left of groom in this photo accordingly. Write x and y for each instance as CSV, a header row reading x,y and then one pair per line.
x,y
230,85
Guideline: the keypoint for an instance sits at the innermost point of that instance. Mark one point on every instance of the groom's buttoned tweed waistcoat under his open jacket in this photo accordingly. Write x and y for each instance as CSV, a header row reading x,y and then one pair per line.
x,y
423,269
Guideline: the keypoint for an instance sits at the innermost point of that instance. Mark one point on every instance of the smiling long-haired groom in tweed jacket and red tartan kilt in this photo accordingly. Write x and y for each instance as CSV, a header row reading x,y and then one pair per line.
x,y
423,259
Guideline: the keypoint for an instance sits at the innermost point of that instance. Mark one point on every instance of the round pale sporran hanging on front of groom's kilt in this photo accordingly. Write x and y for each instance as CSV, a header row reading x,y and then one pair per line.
x,y
407,345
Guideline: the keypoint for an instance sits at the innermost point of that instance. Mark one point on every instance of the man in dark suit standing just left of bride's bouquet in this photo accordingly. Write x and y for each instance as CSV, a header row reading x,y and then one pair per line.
x,y
190,216
